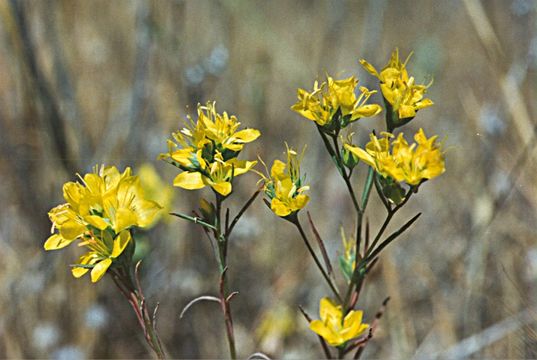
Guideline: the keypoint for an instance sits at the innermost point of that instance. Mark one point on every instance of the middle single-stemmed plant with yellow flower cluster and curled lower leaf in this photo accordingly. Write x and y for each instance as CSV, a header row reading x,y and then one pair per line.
x,y
206,151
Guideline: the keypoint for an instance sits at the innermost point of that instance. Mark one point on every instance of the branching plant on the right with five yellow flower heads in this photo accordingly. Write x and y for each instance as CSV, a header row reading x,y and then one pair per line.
x,y
395,168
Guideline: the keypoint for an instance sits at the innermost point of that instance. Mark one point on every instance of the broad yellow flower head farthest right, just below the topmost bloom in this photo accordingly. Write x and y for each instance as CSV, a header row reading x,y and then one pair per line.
x,y
403,163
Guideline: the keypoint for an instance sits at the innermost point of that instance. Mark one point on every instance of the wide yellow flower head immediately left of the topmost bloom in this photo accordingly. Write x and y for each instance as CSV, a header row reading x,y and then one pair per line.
x,y
334,103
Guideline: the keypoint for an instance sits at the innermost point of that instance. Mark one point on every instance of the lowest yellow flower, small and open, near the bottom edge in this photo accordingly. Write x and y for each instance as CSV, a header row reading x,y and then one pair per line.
x,y
335,329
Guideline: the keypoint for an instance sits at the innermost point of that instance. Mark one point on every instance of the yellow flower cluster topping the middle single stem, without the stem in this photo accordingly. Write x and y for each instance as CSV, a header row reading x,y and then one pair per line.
x,y
207,151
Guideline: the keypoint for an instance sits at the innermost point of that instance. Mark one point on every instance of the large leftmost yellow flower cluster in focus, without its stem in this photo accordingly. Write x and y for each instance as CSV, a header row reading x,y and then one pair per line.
x,y
99,212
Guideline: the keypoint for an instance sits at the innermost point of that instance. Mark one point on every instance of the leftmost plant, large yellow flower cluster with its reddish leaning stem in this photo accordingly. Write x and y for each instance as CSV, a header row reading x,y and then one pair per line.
x,y
100,213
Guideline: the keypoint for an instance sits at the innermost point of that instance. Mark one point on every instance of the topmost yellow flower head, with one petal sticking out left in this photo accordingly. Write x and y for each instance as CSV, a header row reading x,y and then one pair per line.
x,y
398,89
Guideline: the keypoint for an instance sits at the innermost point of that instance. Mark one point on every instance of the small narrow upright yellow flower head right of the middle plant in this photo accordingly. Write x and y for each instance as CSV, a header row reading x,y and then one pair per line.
x,y
285,187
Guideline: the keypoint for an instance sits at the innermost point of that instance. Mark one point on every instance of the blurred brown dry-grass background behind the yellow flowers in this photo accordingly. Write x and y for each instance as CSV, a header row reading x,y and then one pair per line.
x,y
91,82
